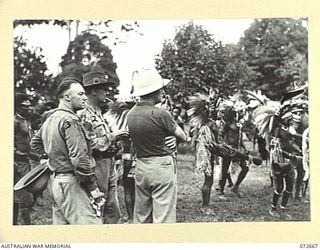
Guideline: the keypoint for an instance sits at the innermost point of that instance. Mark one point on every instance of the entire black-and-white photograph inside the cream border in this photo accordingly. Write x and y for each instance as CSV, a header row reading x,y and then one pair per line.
x,y
161,121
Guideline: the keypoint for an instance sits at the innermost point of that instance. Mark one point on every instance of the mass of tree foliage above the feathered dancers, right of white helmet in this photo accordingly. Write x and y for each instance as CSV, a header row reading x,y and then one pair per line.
x,y
270,56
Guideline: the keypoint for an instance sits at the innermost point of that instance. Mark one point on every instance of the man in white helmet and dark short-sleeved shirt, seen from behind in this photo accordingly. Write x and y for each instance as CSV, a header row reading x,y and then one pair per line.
x,y
155,175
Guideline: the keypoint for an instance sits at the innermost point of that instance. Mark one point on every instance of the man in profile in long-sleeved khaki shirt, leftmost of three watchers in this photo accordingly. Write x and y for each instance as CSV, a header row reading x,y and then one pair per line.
x,y
72,185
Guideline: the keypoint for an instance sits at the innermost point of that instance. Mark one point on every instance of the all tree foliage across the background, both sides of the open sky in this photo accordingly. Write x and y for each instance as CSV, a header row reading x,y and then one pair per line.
x,y
272,56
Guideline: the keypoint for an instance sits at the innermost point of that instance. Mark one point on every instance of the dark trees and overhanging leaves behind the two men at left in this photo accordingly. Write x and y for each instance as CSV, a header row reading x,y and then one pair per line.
x,y
86,51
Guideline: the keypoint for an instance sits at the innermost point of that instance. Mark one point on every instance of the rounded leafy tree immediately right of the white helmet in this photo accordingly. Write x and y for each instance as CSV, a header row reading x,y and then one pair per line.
x,y
196,62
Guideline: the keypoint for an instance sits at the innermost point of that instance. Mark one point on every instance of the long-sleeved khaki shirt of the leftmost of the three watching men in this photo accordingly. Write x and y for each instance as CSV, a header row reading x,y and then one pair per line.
x,y
63,138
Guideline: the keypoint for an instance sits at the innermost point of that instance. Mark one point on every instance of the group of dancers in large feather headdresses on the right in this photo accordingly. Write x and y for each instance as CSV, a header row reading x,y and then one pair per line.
x,y
218,134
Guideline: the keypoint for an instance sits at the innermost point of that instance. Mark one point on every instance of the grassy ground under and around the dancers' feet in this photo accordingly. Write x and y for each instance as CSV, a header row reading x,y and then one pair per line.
x,y
253,207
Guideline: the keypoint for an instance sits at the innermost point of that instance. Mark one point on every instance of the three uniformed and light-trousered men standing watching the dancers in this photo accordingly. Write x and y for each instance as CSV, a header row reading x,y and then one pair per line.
x,y
80,147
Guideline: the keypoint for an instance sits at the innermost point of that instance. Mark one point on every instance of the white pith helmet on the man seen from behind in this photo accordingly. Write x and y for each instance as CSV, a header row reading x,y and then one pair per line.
x,y
146,81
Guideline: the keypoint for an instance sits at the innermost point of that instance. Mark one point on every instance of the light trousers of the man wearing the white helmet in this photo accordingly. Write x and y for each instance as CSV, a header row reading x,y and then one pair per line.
x,y
156,190
